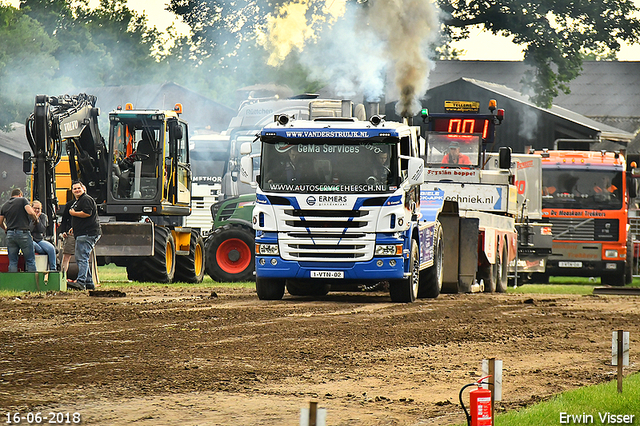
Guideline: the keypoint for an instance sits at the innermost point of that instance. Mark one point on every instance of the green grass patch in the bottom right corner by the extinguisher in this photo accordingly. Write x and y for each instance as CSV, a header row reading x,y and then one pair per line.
x,y
590,400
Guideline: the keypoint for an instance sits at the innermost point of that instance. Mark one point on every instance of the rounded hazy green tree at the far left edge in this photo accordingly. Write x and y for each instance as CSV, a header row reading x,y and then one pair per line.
x,y
27,64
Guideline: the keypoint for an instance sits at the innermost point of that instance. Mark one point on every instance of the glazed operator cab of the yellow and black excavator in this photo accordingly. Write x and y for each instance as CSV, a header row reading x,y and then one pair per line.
x,y
149,172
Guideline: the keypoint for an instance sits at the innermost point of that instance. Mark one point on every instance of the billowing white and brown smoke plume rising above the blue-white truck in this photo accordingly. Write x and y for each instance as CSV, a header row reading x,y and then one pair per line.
x,y
356,52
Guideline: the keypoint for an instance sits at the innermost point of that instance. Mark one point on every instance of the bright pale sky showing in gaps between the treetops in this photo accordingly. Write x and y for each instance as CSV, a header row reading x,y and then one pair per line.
x,y
481,45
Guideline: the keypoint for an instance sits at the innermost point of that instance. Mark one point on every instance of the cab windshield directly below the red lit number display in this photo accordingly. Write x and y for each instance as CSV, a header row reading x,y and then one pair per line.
x,y
452,150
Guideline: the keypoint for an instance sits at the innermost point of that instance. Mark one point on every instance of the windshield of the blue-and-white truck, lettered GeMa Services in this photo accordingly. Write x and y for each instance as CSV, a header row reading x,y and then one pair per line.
x,y
335,166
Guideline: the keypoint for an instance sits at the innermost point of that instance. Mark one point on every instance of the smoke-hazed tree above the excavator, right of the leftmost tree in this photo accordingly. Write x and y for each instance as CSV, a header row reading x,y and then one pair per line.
x,y
110,44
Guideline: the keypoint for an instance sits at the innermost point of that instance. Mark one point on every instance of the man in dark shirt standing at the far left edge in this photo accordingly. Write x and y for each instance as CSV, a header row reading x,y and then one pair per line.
x,y
15,220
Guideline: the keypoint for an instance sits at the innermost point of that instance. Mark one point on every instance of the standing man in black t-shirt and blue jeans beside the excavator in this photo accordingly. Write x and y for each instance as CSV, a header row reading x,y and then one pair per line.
x,y
86,229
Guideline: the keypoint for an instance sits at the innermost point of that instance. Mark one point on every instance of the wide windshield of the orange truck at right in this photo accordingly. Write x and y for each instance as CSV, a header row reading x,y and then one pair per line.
x,y
582,189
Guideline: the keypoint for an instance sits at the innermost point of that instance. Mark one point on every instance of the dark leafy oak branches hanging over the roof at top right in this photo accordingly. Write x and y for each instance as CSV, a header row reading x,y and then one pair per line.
x,y
554,33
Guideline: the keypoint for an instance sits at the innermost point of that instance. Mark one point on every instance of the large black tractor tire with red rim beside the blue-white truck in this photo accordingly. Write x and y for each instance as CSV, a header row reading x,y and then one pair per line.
x,y
229,254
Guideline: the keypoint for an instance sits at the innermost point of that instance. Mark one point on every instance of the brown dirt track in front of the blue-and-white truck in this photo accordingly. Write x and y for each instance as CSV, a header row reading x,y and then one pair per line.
x,y
171,356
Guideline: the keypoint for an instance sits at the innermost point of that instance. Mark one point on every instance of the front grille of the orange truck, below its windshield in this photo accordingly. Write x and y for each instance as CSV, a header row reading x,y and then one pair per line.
x,y
581,229
